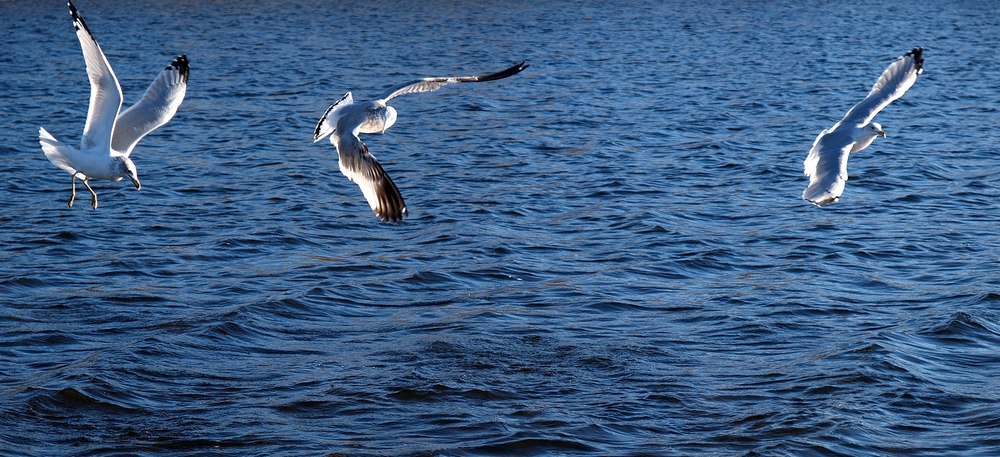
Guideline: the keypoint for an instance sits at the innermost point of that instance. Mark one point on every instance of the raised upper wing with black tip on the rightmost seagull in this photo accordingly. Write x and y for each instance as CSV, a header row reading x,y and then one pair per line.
x,y
894,82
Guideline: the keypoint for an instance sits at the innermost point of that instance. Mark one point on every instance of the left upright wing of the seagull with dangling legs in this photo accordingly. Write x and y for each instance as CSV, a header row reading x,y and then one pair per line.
x,y
105,93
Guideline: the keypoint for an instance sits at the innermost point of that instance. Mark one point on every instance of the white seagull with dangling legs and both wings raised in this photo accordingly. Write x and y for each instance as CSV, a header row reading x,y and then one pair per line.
x,y
110,136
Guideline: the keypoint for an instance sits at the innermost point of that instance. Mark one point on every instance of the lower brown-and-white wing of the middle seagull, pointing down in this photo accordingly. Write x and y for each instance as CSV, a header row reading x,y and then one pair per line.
x,y
363,168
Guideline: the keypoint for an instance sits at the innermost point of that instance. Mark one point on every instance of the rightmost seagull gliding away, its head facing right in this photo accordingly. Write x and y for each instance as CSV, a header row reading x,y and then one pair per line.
x,y
826,164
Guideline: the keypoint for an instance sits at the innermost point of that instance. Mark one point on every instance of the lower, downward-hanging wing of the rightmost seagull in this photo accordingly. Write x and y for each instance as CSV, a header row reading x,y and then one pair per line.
x,y
826,166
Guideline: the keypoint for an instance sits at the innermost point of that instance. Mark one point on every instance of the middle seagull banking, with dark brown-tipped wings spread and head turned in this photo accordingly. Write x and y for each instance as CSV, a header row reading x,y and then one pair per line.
x,y
345,119
